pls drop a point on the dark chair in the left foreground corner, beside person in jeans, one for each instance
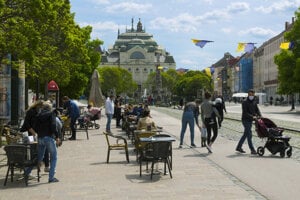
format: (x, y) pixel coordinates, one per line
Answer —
(21, 156)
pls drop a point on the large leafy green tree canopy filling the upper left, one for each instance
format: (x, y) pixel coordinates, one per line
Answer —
(43, 33)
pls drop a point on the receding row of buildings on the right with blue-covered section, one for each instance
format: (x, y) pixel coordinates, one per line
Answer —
(255, 70)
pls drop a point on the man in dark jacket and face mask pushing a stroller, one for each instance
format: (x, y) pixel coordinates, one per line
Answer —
(250, 111)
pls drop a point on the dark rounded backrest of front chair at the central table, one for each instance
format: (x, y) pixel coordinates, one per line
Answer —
(158, 150)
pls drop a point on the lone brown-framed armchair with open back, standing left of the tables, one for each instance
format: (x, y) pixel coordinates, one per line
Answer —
(116, 145)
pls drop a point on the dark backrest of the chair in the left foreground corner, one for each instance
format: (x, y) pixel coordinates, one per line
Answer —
(17, 154)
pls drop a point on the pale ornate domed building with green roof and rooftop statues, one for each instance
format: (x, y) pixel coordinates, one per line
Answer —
(137, 51)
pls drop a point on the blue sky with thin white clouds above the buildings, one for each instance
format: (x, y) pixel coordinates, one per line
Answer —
(173, 23)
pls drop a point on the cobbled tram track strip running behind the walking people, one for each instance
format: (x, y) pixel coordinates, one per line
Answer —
(232, 130)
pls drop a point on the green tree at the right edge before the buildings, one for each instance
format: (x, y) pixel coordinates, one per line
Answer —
(288, 62)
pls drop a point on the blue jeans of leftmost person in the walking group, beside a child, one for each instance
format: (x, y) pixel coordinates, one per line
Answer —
(187, 118)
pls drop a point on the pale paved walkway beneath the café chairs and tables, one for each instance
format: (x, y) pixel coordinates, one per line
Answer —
(84, 174)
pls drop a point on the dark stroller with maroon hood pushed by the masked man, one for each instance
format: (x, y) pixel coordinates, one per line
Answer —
(276, 142)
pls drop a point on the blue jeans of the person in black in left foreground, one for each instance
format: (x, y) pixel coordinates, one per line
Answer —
(49, 144)
